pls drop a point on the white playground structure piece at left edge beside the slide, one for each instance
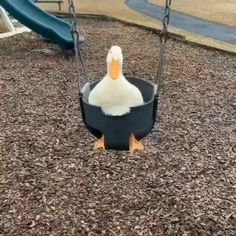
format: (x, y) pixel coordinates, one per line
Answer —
(9, 23)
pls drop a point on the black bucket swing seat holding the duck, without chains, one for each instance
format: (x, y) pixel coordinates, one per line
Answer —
(117, 129)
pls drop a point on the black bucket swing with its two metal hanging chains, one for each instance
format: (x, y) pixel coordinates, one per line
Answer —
(115, 131)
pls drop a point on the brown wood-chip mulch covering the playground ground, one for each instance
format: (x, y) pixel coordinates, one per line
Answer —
(53, 183)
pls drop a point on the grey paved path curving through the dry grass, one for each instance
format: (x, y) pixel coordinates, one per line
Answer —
(180, 20)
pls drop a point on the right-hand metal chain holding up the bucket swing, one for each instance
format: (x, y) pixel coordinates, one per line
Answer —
(163, 39)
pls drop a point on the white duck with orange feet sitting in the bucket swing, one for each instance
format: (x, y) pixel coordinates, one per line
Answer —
(116, 95)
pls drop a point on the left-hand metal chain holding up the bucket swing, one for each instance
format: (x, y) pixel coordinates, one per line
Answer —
(75, 36)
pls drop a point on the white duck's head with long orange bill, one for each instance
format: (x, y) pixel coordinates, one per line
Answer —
(114, 62)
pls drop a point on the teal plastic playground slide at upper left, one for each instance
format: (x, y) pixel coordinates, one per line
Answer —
(41, 22)
